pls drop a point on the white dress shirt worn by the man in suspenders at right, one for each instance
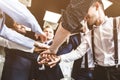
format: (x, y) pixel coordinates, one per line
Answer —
(104, 44)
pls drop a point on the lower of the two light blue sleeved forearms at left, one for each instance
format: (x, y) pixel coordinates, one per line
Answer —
(16, 37)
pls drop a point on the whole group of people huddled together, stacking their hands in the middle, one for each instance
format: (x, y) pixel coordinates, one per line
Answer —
(95, 52)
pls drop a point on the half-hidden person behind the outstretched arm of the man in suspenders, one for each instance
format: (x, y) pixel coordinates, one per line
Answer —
(83, 68)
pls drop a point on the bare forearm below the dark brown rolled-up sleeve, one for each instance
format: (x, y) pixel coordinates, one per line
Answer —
(59, 38)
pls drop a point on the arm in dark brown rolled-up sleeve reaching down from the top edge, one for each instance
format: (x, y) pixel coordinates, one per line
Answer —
(70, 22)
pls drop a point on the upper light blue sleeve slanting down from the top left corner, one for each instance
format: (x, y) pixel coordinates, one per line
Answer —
(20, 14)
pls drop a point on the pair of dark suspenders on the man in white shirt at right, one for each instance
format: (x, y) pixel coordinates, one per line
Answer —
(115, 43)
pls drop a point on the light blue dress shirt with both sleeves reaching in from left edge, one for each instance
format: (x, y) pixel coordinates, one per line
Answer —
(22, 15)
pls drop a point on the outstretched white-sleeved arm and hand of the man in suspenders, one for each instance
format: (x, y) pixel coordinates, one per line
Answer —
(68, 57)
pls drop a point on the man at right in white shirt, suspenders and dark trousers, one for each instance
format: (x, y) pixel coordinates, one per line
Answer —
(107, 68)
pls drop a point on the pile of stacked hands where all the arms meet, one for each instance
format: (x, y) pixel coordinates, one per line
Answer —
(47, 57)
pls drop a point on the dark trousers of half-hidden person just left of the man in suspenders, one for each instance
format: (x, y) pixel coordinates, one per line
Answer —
(85, 74)
